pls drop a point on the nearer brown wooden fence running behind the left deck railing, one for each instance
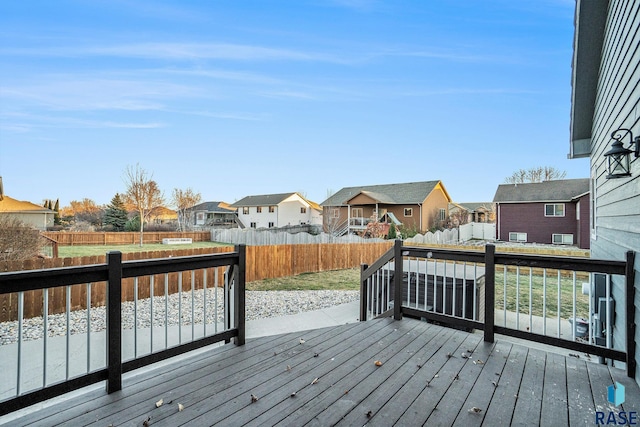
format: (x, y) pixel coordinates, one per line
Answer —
(263, 262)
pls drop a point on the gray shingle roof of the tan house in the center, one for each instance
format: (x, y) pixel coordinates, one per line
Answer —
(399, 194)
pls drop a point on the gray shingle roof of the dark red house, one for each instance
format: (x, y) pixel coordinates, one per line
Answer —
(562, 190)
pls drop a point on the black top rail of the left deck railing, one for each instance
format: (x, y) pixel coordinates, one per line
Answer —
(29, 280)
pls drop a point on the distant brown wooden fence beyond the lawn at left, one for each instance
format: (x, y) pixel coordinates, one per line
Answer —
(121, 238)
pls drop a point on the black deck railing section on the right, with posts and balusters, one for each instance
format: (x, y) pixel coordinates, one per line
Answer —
(561, 301)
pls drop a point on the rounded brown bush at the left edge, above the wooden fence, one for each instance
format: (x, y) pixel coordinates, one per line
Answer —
(18, 241)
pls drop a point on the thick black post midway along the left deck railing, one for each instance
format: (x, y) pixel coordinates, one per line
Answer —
(114, 318)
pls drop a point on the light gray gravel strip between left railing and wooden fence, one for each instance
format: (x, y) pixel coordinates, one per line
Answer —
(260, 304)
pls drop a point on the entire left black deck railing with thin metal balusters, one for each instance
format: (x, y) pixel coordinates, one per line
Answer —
(35, 378)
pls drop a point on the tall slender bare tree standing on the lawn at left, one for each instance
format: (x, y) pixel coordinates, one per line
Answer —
(142, 194)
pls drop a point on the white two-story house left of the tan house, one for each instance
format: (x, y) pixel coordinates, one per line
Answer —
(277, 210)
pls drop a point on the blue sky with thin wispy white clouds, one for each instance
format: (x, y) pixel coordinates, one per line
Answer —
(235, 98)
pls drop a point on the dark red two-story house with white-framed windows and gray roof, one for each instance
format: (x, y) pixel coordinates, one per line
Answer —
(554, 212)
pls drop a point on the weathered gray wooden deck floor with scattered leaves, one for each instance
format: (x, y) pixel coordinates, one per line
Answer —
(329, 377)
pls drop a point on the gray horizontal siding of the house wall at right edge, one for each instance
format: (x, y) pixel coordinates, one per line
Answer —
(616, 207)
